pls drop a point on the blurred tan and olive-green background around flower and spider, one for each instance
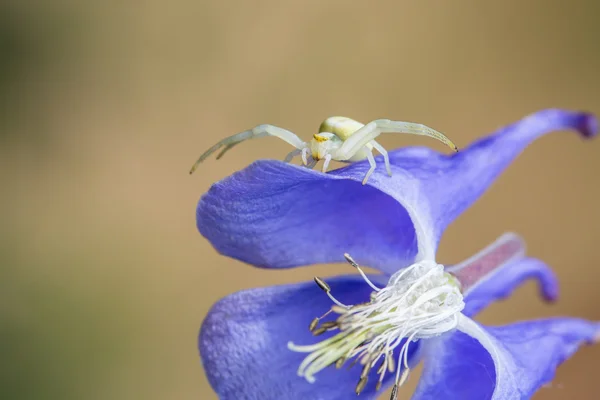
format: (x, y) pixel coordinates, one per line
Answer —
(104, 106)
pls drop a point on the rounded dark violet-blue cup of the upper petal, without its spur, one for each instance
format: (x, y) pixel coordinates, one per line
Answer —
(277, 215)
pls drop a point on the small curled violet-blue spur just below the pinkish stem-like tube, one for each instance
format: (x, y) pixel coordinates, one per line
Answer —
(503, 281)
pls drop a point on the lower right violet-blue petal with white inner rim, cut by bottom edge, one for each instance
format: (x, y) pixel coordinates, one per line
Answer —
(501, 363)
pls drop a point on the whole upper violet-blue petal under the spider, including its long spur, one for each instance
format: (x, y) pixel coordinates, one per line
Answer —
(277, 215)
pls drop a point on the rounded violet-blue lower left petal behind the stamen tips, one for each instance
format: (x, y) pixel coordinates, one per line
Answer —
(243, 343)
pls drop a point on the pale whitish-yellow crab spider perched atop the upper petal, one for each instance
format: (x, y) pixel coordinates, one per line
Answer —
(339, 139)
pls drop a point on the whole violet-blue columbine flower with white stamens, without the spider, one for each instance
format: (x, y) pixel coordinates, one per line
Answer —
(256, 344)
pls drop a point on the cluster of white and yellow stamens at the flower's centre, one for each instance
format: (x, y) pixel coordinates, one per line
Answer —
(419, 302)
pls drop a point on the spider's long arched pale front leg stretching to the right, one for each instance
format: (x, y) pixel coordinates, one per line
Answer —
(375, 128)
